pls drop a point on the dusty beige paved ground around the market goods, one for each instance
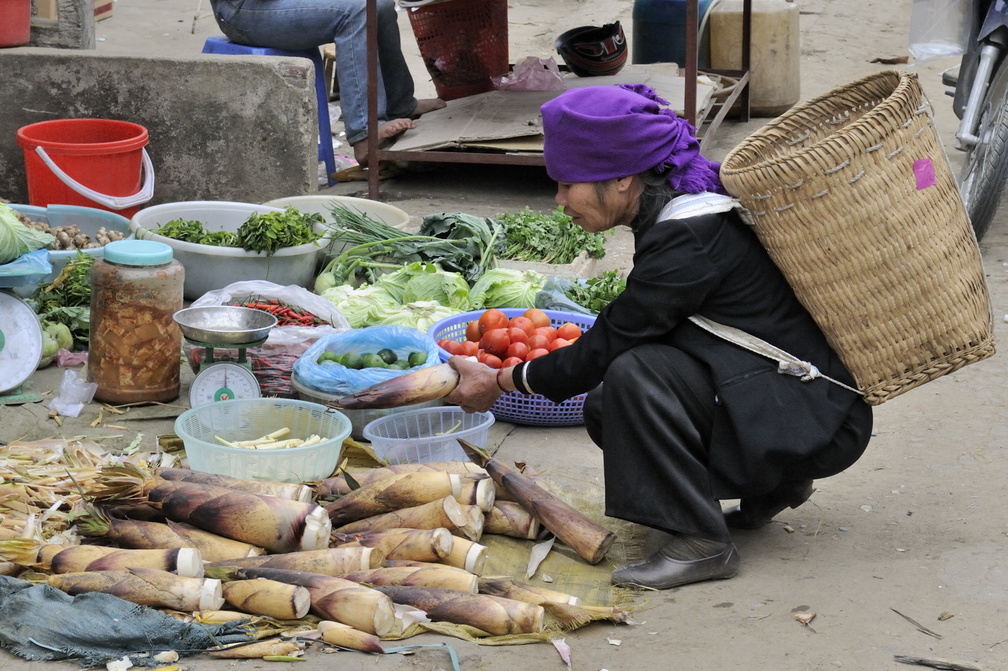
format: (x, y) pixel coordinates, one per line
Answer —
(916, 527)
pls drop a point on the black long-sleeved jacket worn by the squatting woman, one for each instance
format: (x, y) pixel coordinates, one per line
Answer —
(714, 265)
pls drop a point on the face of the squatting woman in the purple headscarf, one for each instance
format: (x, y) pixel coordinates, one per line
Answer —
(597, 207)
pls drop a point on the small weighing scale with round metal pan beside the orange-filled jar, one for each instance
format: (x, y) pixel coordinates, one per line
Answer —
(224, 377)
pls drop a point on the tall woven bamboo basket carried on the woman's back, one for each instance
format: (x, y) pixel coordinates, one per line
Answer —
(854, 199)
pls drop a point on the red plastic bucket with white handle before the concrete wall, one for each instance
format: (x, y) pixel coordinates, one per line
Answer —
(93, 163)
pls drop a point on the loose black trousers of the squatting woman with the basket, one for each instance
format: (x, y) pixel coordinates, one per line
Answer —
(654, 417)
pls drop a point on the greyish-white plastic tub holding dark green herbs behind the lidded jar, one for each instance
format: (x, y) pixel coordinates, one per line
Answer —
(209, 267)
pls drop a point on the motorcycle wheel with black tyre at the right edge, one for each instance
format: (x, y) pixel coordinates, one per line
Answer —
(985, 167)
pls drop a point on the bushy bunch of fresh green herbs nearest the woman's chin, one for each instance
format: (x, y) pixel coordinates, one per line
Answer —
(551, 238)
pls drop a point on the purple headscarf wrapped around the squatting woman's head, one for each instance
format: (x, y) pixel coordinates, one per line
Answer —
(606, 132)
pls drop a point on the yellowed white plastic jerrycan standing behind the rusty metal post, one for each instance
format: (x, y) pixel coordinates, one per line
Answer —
(775, 67)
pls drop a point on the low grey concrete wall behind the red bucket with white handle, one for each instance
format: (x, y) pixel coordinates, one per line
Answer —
(222, 127)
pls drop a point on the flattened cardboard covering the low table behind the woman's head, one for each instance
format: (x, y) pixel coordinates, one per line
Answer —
(510, 120)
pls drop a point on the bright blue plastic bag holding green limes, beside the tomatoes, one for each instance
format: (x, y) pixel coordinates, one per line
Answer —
(339, 380)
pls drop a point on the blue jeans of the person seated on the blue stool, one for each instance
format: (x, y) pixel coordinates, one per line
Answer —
(305, 25)
